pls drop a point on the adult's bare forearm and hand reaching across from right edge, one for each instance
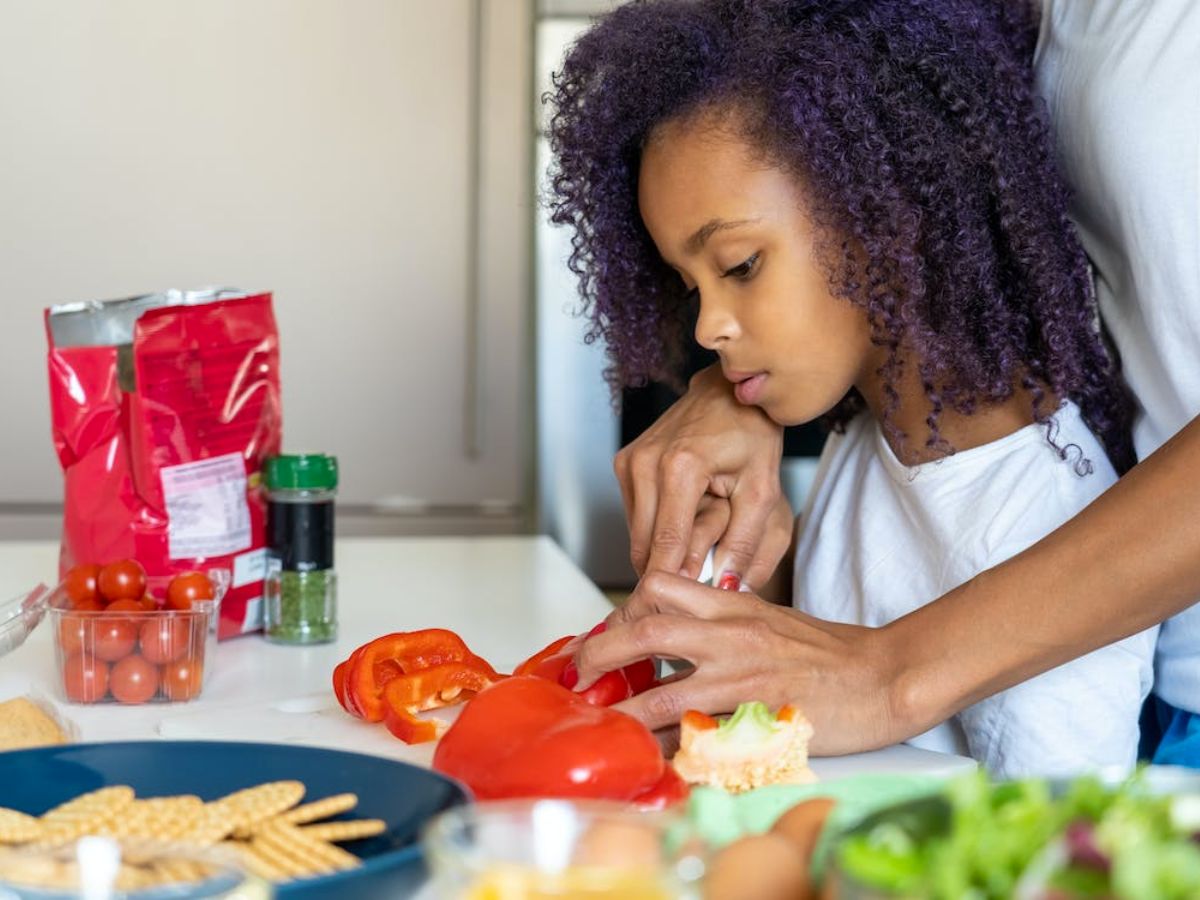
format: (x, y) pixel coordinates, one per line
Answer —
(1127, 562)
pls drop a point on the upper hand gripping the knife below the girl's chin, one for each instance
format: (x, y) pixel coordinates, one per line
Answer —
(706, 445)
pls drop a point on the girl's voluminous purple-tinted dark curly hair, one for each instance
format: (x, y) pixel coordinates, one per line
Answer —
(925, 155)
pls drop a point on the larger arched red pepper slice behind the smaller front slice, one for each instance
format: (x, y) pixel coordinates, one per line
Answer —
(386, 659)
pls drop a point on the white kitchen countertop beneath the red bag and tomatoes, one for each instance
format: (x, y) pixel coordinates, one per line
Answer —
(506, 597)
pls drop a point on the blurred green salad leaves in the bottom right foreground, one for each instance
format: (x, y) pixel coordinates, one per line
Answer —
(1090, 837)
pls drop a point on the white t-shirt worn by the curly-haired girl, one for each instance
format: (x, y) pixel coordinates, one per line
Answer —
(880, 539)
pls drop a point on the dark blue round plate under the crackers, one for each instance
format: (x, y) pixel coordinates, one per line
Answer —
(404, 796)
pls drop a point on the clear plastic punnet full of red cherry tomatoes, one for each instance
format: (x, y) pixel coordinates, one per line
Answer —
(123, 638)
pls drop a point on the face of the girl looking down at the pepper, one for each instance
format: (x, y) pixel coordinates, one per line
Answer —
(736, 231)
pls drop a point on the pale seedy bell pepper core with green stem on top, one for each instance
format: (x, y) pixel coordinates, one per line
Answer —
(749, 749)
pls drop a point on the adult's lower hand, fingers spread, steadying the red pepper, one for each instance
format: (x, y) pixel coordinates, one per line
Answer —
(745, 649)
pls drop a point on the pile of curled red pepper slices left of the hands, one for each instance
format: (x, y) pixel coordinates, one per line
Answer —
(397, 676)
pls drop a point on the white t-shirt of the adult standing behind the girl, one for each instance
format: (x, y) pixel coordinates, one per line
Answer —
(1123, 82)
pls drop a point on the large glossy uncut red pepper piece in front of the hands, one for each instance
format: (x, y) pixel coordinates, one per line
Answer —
(529, 737)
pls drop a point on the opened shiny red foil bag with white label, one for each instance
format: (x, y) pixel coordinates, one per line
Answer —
(164, 409)
